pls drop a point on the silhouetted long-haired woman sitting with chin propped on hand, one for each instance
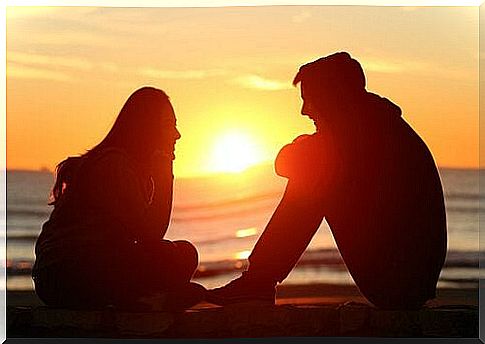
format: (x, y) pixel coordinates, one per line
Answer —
(102, 244)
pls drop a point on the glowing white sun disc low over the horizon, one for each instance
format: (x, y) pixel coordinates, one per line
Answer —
(234, 152)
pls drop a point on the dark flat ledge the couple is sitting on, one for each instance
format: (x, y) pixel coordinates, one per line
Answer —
(244, 321)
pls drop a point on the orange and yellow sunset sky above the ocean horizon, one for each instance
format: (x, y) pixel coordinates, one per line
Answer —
(229, 70)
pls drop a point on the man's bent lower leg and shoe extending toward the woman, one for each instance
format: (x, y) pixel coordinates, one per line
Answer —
(285, 238)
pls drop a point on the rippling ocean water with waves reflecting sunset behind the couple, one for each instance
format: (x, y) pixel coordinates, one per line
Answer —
(223, 215)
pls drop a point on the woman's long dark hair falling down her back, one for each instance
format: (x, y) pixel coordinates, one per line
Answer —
(136, 131)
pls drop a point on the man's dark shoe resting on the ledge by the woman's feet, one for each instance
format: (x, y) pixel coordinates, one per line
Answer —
(243, 290)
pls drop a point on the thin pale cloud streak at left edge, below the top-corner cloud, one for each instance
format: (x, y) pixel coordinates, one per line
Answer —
(51, 61)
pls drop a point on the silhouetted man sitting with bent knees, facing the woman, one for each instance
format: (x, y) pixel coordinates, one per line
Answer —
(371, 177)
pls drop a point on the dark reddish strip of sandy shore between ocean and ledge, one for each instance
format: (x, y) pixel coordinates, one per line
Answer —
(302, 294)
